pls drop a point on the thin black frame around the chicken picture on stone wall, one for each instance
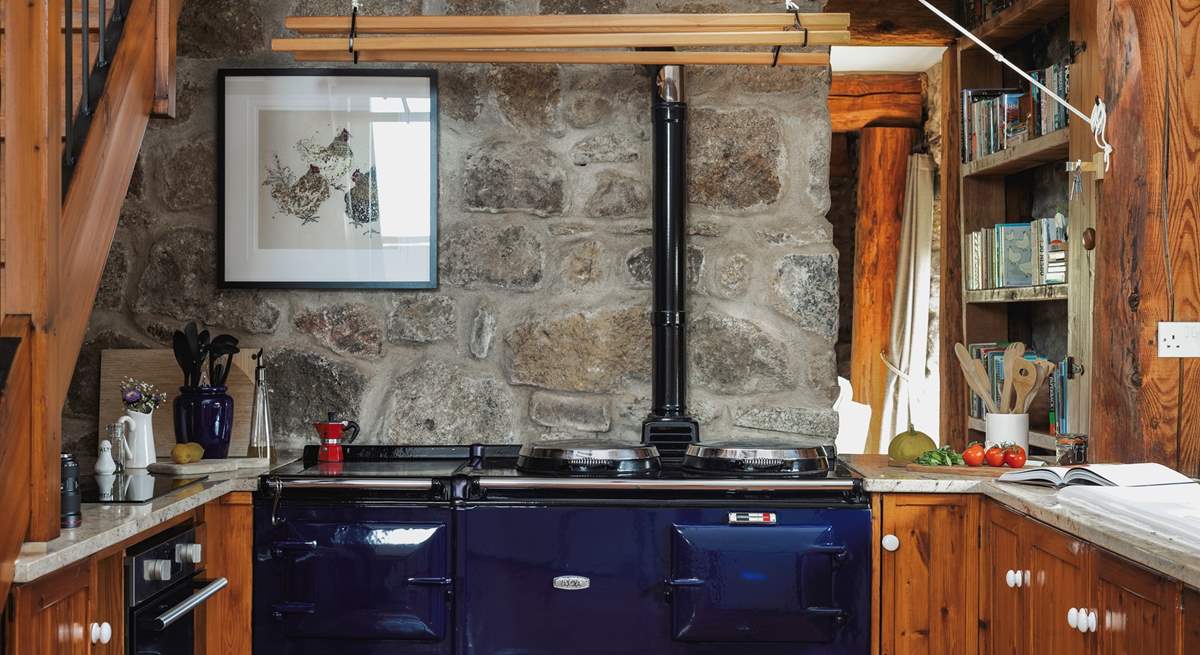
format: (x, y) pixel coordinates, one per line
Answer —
(224, 75)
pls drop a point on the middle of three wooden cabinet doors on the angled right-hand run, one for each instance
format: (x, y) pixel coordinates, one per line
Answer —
(1055, 581)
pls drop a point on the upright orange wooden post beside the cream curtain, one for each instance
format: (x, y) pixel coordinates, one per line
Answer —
(883, 176)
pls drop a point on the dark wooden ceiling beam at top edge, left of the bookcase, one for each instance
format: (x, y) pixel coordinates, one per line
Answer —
(896, 23)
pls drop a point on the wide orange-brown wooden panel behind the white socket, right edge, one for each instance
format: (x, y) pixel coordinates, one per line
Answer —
(1144, 407)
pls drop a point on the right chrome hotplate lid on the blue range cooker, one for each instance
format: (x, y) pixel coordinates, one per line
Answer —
(758, 458)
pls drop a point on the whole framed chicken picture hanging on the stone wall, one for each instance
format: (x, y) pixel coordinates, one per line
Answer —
(328, 178)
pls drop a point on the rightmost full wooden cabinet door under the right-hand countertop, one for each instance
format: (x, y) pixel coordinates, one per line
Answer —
(1138, 612)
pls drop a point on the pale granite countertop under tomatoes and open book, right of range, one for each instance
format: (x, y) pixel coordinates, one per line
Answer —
(1136, 538)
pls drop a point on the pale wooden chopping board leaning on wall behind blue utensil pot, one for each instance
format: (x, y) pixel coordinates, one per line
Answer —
(159, 368)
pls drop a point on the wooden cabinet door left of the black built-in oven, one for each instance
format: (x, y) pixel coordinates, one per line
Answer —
(52, 615)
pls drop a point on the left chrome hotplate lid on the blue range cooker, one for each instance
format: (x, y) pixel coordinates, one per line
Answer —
(589, 458)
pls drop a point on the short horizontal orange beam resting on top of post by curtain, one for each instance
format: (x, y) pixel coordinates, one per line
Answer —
(859, 101)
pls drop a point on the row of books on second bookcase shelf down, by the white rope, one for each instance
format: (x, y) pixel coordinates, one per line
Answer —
(998, 119)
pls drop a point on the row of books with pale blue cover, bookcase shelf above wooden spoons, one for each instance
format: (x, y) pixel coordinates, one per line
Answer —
(1018, 255)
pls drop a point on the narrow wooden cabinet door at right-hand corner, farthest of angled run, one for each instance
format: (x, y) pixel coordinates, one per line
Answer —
(1001, 608)
